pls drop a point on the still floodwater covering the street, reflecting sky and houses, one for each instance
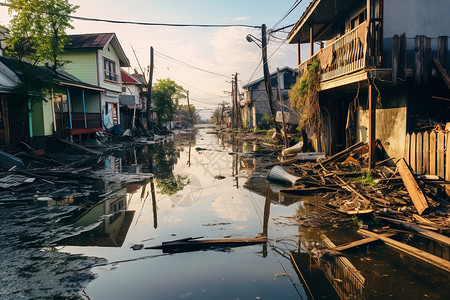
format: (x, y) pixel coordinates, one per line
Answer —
(205, 185)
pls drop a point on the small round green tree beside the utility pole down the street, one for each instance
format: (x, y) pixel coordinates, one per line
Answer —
(166, 94)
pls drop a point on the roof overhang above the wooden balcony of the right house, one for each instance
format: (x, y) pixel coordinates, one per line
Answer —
(321, 15)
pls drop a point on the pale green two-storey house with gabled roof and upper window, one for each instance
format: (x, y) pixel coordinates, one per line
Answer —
(96, 59)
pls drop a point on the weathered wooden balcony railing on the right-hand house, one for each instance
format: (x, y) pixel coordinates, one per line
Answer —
(345, 55)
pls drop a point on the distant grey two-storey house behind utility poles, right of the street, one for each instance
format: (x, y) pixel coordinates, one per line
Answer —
(256, 102)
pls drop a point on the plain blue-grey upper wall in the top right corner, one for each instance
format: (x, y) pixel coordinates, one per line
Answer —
(416, 17)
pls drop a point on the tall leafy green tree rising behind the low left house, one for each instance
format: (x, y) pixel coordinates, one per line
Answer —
(38, 29)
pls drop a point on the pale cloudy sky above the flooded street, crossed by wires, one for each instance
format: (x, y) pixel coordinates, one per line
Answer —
(224, 51)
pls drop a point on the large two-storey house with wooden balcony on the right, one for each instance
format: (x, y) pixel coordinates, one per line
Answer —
(383, 71)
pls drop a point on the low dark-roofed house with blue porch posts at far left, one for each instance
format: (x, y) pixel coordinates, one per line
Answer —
(53, 114)
